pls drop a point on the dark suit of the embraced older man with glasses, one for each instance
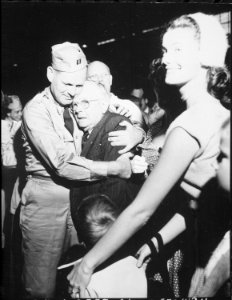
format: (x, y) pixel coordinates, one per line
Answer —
(98, 148)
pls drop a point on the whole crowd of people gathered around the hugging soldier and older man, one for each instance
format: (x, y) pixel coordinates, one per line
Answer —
(105, 197)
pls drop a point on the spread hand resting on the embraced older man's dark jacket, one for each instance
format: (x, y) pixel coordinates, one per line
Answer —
(130, 137)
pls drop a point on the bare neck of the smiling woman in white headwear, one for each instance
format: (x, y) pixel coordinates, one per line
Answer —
(195, 91)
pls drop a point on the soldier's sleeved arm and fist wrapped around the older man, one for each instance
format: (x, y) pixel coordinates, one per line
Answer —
(45, 142)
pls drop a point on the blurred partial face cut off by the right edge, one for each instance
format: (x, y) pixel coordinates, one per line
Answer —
(223, 168)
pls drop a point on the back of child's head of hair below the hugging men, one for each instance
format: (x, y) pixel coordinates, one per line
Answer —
(94, 217)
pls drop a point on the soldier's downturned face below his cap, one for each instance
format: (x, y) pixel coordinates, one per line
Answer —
(65, 86)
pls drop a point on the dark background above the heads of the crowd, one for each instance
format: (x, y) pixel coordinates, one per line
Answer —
(29, 29)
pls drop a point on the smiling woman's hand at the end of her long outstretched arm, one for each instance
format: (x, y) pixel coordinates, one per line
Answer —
(79, 279)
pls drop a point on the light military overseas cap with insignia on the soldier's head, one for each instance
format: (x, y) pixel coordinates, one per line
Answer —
(68, 57)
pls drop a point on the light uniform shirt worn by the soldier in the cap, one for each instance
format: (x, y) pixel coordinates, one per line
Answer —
(49, 146)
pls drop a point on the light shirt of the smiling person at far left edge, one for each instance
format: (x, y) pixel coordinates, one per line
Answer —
(9, 129)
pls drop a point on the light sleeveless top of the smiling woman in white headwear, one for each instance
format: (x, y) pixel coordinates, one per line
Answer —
(203, 122)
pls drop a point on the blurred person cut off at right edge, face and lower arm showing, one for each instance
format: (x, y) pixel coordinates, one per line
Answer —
(208, 281)
